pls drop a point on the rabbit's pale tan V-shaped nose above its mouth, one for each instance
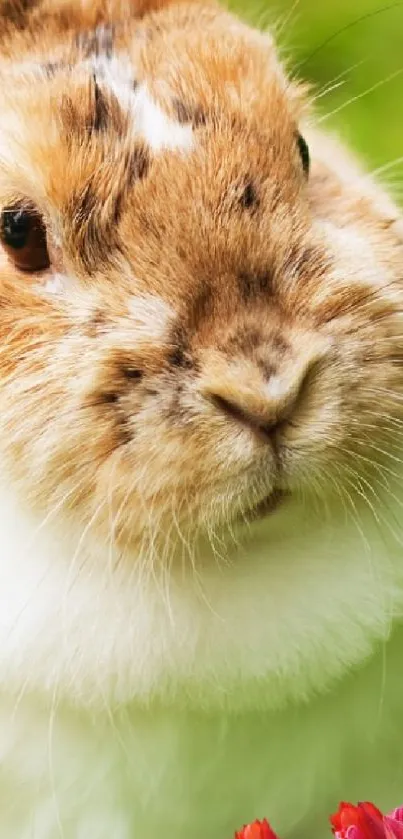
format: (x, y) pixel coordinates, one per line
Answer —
(261, 401)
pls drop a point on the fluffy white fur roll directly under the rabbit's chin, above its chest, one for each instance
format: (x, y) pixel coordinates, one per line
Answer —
(277, 613)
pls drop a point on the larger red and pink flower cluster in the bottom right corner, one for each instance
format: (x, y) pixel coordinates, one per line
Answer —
(365, 821)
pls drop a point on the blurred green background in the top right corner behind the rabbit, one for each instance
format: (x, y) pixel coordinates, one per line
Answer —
(364, 55)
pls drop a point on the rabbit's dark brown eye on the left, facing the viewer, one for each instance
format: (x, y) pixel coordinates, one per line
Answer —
(23, 235)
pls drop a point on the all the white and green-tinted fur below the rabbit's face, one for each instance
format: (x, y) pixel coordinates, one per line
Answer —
(301, 604)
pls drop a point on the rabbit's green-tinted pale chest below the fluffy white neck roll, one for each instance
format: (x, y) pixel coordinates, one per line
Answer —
(188, 774)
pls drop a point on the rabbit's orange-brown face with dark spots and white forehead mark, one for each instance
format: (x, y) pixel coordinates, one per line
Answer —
(194, 321)
